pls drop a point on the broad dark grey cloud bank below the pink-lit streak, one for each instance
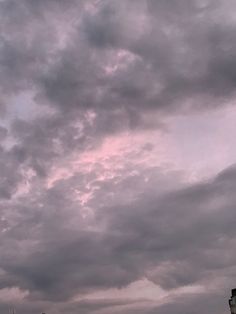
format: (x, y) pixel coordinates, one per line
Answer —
(180, 230)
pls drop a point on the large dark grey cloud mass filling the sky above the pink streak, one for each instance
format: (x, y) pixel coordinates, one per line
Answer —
(165, 66)
